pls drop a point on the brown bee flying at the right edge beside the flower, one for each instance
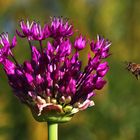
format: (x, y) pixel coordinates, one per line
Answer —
(133, 68)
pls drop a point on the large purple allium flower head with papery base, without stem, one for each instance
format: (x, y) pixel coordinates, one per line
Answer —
(52, 83)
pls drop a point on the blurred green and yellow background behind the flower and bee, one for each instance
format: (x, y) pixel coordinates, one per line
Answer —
(116, 115)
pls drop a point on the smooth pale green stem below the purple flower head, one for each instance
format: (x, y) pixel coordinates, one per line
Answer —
(52, 131)
